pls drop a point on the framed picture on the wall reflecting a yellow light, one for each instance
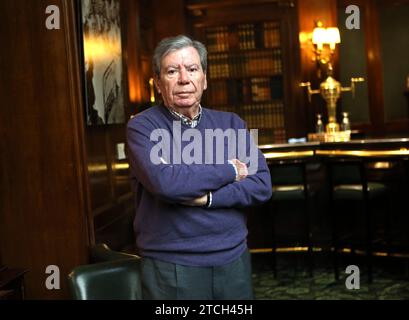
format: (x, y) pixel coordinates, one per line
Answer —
(103, 63)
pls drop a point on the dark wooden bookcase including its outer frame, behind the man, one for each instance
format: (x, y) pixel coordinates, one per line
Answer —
(253, 62)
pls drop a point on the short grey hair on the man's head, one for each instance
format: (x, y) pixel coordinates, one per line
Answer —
(171, 44)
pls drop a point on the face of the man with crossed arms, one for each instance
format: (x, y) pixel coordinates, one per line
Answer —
(182, 80)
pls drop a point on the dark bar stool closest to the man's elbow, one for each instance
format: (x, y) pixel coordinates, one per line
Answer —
(289, 182)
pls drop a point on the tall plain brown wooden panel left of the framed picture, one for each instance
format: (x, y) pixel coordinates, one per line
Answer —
(43, 216)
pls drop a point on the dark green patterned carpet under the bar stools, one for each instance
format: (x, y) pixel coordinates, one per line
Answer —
(391, 281)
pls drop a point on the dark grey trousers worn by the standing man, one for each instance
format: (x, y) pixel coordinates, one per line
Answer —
(169, 281)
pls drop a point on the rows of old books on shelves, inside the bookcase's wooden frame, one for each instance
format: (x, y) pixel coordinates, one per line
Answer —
(245, 71)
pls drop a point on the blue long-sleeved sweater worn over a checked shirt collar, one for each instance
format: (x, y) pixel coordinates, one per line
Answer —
(194, 236)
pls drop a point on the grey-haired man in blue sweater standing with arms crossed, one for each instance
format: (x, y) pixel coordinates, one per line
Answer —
(189, 224)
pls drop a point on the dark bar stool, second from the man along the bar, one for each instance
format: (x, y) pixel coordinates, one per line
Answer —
(348, 181)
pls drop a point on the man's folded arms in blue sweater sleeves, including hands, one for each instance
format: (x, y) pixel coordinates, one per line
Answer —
(190, 184)
